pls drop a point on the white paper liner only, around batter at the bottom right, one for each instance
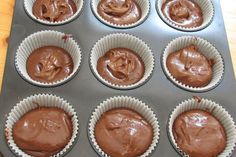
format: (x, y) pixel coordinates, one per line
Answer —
(217, 111)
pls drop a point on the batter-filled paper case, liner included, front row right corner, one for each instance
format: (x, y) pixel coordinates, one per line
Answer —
(199, 127)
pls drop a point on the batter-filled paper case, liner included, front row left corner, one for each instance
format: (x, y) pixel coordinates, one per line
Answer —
(41, 125)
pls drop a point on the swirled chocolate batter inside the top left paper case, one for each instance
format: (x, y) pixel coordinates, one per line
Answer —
(54, 10)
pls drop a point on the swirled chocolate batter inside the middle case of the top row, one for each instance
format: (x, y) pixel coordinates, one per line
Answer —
(119, 12)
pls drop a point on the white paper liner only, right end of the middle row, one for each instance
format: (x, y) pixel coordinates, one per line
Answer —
(208, 50)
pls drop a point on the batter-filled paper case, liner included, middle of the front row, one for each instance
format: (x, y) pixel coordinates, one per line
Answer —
(123, 127)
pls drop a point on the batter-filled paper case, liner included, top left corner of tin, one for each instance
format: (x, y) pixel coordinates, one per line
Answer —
(53, 12)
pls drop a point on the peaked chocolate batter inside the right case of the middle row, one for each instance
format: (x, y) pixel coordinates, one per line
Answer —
(190, 67)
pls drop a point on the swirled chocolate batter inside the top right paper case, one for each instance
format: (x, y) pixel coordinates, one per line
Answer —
(185, 13)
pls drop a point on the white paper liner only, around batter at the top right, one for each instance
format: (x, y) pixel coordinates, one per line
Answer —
(207, 11)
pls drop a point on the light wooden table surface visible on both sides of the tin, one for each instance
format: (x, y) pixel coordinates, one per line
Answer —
(6, 12)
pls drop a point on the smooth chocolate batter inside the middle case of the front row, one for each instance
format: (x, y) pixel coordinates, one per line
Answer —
(123, 132)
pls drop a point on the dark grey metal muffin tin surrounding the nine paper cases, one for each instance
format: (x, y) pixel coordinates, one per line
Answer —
(84, 92)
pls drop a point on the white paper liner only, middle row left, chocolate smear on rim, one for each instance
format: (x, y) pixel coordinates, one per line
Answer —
(46, 38)
